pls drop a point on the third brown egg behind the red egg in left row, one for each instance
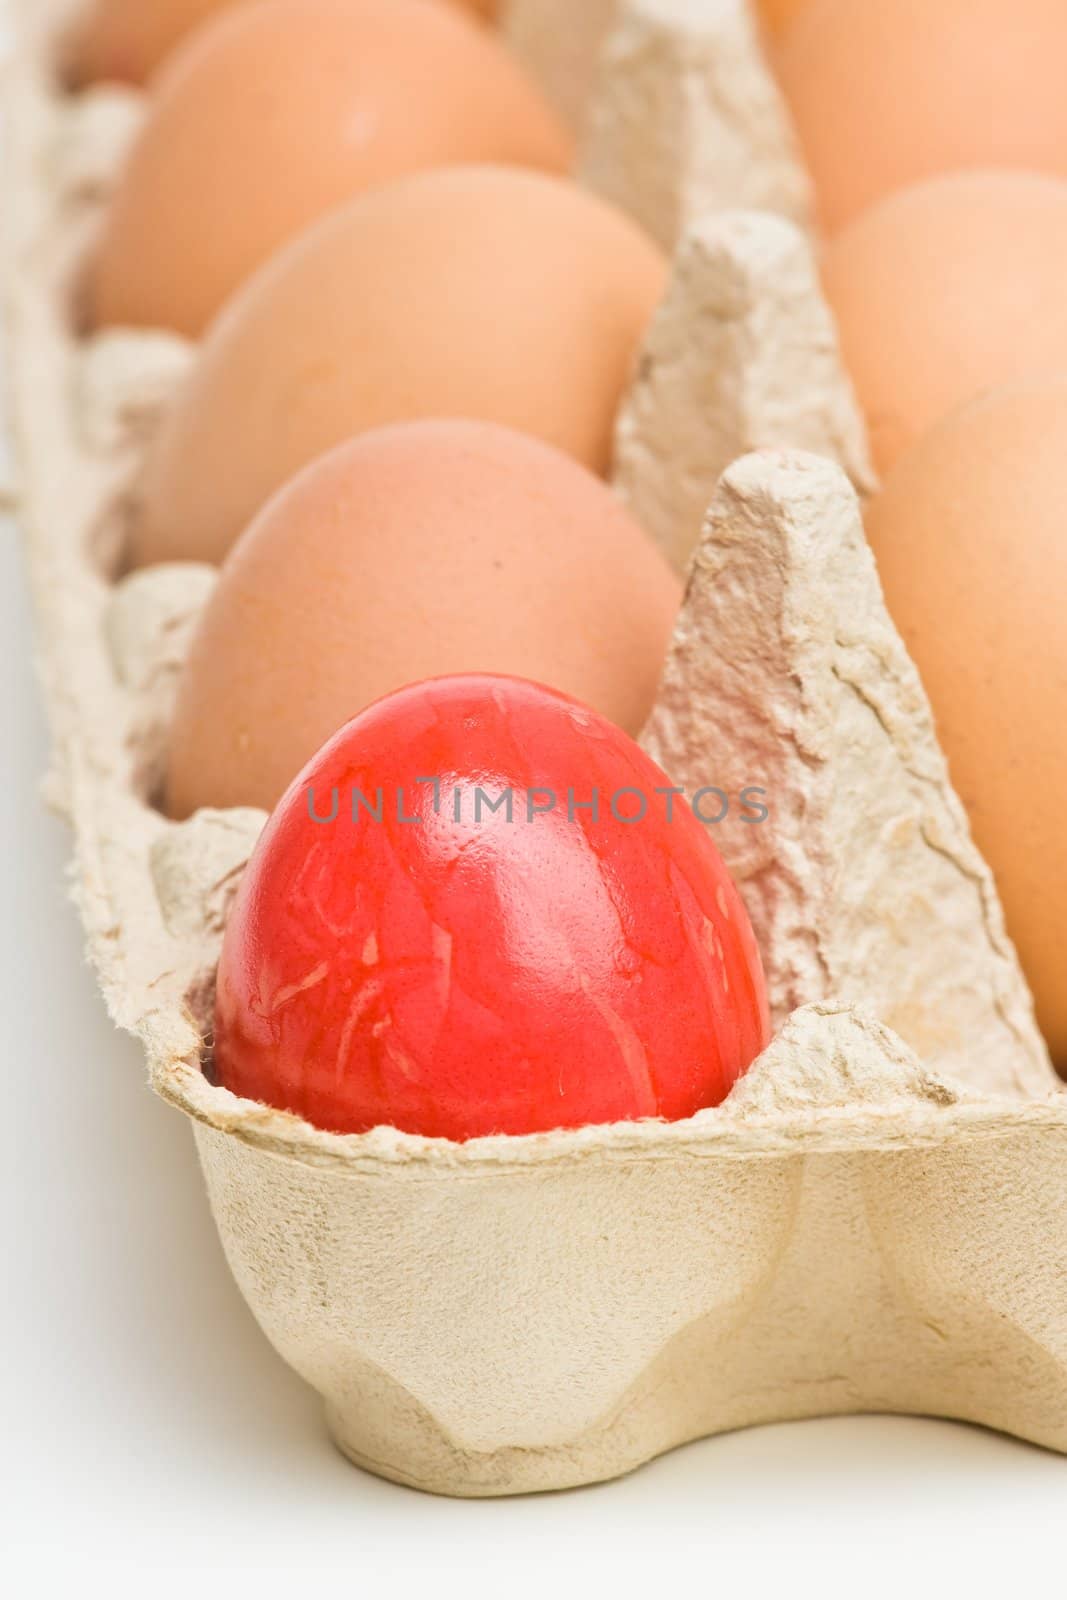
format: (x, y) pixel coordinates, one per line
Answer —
(282, 111)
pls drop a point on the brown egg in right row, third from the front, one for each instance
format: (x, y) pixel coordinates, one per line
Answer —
(889, 92)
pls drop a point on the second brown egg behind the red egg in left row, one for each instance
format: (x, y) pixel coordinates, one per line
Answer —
(481, 292)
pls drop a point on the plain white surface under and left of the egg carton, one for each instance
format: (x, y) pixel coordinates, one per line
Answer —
(150, 1430)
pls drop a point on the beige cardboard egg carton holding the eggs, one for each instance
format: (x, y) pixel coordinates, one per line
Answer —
(877, 1217)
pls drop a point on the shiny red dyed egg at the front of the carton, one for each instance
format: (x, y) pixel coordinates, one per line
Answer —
(479, 910)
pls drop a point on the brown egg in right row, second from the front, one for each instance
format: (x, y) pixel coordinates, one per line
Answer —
(946, 290)
